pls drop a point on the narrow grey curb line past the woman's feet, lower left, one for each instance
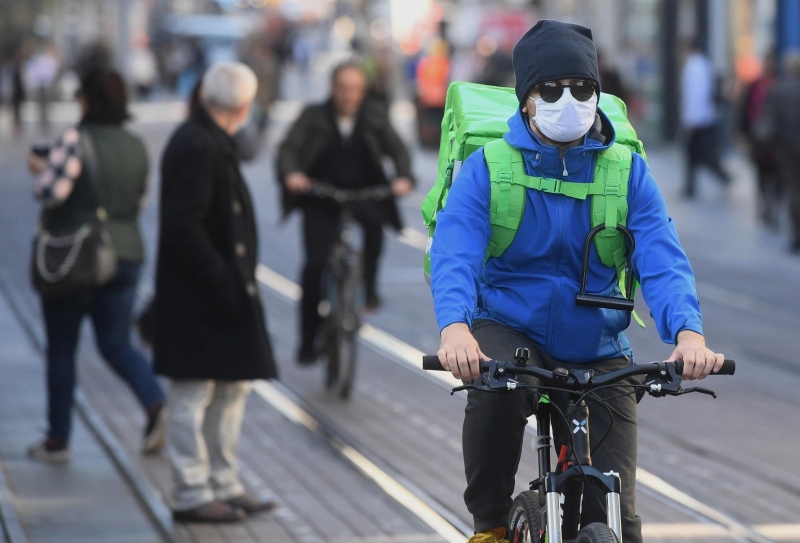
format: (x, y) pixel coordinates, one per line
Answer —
(154, 506)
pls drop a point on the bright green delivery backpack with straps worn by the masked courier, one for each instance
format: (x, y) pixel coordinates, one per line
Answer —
(476, 117)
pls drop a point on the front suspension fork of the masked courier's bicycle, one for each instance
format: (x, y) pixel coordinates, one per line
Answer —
(569, 477)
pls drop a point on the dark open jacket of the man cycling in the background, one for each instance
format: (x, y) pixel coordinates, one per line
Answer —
(313, 132)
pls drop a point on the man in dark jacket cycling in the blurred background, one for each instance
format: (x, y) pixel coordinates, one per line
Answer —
(343, 142)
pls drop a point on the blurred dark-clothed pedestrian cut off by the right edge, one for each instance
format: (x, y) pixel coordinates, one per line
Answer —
(782, 119)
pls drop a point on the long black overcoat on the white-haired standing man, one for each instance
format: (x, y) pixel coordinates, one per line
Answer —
(210, 321)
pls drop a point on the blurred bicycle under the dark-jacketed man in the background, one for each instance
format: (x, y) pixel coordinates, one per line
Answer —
(343, 304)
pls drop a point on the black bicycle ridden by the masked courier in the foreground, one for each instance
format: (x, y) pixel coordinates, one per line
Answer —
(537, 515)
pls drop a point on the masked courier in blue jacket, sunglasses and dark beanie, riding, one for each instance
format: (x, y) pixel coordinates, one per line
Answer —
(526, 297)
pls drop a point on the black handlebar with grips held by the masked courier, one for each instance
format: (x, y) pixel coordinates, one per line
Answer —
(431, 363)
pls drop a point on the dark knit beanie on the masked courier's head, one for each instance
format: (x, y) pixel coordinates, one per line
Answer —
(553, 50)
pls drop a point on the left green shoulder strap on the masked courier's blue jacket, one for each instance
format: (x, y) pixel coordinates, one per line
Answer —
(507, 202)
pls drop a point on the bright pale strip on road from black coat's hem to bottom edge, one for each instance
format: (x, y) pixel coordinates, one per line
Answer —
(275, 397)
